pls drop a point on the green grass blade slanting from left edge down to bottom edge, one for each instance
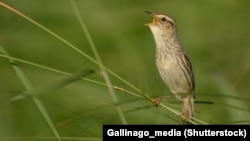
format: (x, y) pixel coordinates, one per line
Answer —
(27, 84)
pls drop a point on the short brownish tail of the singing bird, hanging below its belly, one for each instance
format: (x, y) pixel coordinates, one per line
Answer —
(188, 107)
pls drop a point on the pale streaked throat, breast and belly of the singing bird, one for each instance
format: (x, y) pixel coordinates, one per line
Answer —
(169, 56)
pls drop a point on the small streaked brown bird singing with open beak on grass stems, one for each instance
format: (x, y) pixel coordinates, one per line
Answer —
(173, 63)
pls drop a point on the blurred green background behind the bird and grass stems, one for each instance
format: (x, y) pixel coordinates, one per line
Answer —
(215, 34)
